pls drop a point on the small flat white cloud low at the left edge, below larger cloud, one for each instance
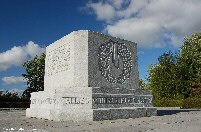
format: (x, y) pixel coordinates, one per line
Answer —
(13, 80)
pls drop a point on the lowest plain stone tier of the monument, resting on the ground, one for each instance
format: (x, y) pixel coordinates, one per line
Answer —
(91, 115)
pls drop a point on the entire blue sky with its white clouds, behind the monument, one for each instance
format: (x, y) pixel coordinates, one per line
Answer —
(28, 26)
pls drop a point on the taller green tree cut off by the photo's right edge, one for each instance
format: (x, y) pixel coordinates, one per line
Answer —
(190, 59)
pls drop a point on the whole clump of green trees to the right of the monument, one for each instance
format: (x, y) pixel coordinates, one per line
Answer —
(175, 75)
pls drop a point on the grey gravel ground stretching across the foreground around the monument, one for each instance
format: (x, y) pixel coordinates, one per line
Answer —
(169, 121)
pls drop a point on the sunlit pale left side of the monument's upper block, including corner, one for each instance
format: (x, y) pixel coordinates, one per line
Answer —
(66, 63)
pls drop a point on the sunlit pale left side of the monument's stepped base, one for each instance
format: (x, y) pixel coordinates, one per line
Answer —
(70, 105)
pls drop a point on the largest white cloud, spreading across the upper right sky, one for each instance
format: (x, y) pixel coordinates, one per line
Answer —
(150, 23)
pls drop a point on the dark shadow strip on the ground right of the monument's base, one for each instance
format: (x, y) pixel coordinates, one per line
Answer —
(171, 112)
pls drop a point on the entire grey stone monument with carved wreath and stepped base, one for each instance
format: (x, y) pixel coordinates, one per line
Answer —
(90, 76)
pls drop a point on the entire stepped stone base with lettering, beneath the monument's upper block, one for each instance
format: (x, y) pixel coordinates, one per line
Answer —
(91, 104)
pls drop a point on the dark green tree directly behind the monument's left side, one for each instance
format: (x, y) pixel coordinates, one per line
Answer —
(35, 70)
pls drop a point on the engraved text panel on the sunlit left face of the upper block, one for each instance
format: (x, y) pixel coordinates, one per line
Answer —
(58, 60)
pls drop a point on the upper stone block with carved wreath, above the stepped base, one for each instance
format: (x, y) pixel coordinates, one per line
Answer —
(83, 58)
